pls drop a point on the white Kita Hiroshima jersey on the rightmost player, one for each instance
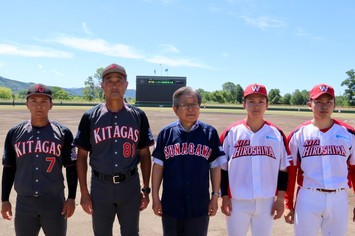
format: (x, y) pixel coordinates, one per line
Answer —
(323, 155)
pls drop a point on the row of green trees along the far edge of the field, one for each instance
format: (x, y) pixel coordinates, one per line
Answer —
(230, 94)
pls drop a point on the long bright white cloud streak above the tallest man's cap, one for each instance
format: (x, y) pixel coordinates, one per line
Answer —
(99, 46)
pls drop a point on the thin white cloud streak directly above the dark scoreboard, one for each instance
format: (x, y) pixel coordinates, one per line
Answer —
(176, 62)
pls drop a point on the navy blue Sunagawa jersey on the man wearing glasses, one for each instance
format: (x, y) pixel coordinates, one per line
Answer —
(187, 158)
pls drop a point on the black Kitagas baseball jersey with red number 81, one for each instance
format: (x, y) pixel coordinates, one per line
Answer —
(113, 138)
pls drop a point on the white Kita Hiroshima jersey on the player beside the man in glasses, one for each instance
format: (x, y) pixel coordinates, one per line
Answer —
(254, 159)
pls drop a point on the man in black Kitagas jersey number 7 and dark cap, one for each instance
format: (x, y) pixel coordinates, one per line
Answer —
(34, 153)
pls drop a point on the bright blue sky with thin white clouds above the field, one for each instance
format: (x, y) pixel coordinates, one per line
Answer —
(282, 44)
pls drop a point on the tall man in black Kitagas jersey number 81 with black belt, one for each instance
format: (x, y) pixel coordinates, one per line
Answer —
(117, 137)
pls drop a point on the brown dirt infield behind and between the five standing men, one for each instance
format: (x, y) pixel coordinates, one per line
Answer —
(150, 225)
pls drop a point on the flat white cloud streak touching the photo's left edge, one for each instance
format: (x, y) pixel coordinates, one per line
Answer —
(32, 51)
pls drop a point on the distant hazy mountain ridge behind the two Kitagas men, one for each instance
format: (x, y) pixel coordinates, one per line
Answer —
(17, 86)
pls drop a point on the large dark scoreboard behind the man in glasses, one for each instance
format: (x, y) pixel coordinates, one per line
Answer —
(157, 89)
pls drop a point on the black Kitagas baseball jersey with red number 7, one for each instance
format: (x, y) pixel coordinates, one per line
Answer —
(39, 153)
